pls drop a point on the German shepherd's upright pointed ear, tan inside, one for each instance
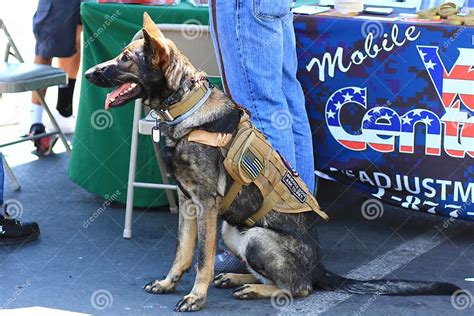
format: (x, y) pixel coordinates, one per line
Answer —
(157, 52)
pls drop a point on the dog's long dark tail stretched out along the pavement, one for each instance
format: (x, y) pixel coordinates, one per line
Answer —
(331, 281)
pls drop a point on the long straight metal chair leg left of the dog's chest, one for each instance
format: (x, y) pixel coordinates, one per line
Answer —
(127, 230)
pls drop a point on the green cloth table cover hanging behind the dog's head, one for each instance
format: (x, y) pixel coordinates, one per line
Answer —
(101, 152)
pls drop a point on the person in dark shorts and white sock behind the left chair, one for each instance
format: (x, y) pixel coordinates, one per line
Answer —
(57, 29)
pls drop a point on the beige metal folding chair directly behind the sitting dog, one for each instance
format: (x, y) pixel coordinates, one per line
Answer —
(199, 49)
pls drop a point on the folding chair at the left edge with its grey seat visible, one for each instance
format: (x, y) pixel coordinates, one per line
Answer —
(21, 77)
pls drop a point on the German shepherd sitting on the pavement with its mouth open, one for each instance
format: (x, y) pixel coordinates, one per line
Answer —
(281, 251)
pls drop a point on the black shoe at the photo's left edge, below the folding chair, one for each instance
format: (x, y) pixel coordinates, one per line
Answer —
(14, 232)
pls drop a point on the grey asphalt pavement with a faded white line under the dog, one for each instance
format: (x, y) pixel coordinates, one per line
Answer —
(84, 266)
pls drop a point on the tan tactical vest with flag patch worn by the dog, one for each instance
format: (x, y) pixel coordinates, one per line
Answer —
(249, 158)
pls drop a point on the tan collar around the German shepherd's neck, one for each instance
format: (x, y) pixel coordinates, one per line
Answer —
(179, 111)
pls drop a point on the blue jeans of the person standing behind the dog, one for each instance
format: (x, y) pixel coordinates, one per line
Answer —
(256, 48)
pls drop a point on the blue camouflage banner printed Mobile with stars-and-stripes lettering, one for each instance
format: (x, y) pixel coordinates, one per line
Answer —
(391, 107)
